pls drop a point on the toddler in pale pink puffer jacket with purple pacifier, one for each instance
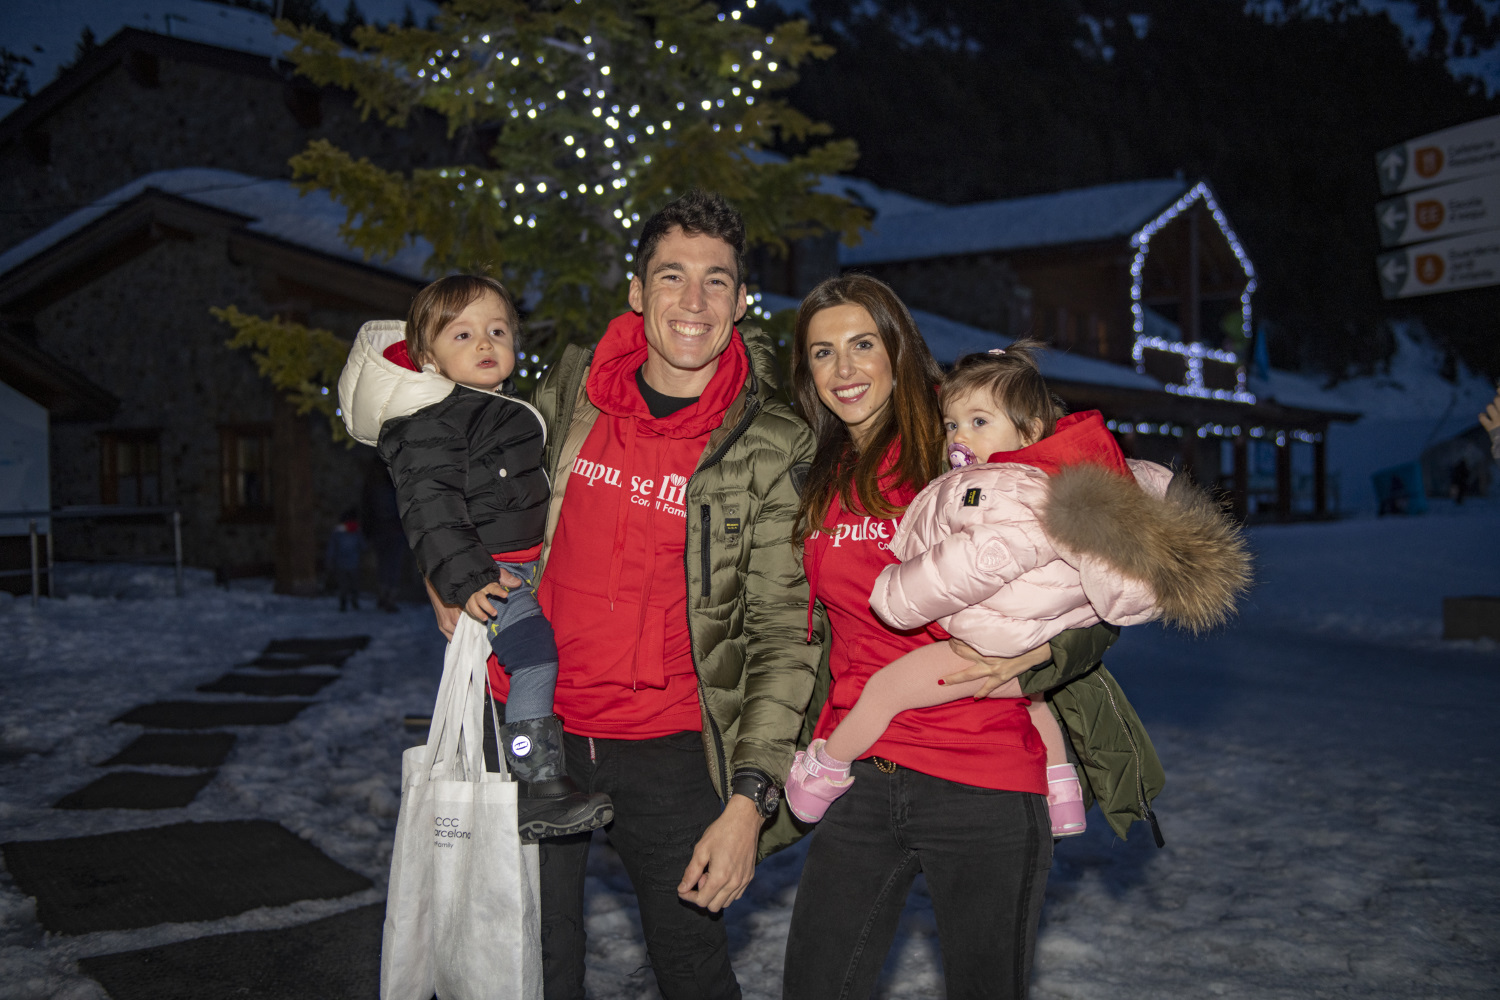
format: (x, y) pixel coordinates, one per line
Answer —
(1040, 527)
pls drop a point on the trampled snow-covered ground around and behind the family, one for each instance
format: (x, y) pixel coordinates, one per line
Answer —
(1331, 813)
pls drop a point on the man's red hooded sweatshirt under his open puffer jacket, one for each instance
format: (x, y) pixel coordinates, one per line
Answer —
(616, 585)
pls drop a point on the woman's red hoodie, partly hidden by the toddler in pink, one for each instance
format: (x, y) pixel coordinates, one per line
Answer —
(991, 744)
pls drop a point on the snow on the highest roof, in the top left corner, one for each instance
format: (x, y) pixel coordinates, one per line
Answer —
(47, 32)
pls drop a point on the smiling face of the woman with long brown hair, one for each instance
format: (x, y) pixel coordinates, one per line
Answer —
(851, 368)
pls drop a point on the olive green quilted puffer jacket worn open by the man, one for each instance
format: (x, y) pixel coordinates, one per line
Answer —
(746, 591)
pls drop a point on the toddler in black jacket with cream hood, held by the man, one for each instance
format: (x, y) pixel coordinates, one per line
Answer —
(469, 472)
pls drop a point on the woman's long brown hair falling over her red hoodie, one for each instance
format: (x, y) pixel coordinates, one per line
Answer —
(914, 419)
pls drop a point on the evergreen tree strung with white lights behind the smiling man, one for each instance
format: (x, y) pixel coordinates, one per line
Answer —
(589, 116)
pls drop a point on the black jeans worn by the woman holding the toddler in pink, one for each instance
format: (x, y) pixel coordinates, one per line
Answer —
(986, 855)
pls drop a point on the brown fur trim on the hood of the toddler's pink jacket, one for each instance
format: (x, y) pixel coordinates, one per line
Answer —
(1184, 546)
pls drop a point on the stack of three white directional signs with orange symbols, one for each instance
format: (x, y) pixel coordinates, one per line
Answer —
(1447, 212)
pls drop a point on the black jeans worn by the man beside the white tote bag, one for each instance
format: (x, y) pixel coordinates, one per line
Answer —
(664, 803)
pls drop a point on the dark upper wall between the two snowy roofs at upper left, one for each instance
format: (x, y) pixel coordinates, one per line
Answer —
(194, 115)
